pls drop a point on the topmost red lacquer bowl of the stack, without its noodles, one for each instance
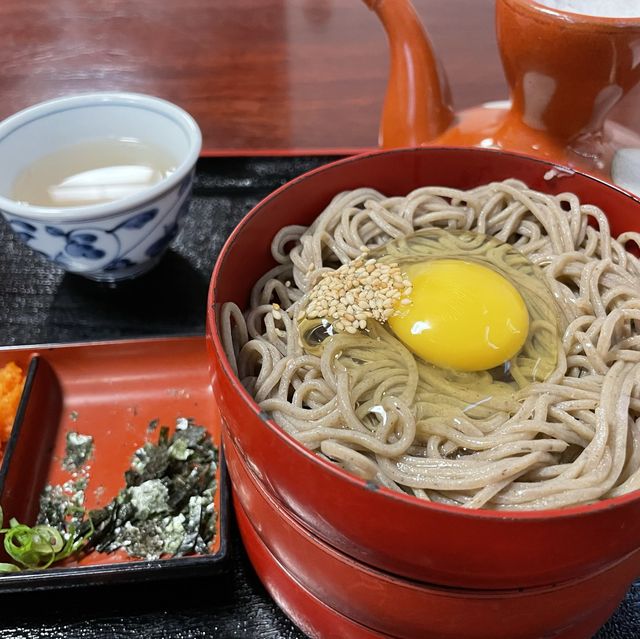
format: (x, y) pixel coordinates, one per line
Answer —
(398, 533)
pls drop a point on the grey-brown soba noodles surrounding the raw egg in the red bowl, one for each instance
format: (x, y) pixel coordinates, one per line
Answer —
(382, 414)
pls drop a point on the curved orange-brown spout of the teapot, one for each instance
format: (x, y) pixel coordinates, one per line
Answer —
(417, 106)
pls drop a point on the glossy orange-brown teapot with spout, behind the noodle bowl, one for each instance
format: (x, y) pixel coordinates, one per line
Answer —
(565, 70)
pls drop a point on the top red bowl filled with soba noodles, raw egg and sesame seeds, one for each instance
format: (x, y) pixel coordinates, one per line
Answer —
(430, 359)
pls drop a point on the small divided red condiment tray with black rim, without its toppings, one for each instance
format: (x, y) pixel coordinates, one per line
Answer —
(112, 391)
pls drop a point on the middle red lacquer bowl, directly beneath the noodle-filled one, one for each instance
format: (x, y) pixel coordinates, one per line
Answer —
(406, 609)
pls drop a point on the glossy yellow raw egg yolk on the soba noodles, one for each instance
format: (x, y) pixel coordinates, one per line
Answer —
(461, 315)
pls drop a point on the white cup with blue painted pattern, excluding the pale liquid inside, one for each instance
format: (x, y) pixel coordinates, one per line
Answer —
(110, 241)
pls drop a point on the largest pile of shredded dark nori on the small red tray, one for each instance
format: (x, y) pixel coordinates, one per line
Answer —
(166, 507)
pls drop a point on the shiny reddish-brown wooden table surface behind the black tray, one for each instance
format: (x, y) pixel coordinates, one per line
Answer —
(256, 74)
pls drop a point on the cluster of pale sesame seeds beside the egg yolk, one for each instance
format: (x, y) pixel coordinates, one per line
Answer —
(356, 292)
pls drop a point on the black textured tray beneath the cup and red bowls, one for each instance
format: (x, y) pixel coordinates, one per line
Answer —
(40, 304)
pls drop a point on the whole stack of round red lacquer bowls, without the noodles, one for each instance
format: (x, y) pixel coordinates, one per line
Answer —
(347, 558)
